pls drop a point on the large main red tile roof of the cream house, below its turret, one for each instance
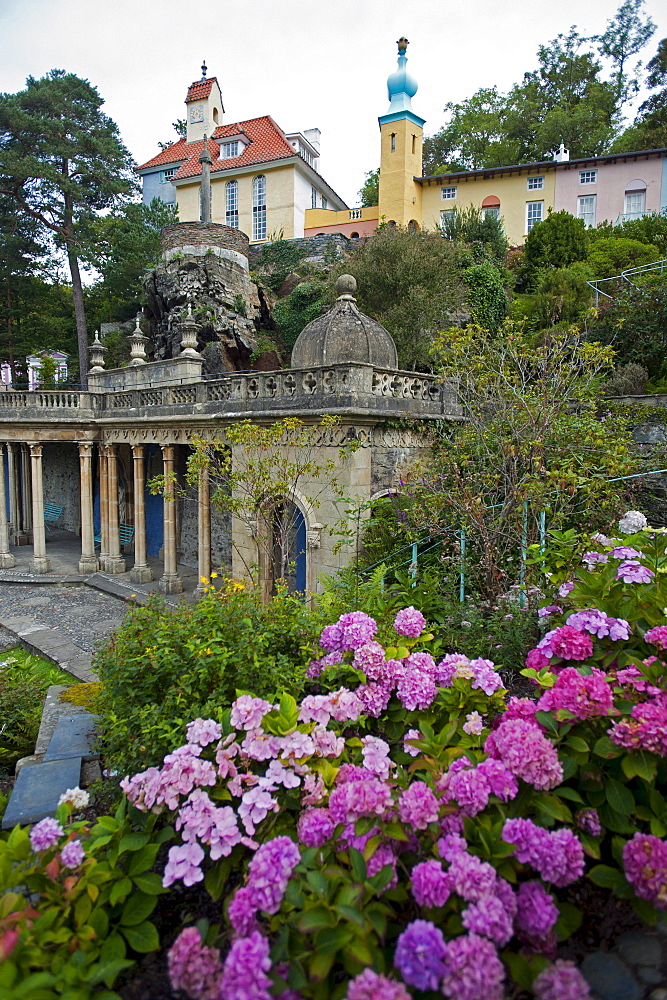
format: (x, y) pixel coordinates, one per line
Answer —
(267, 142)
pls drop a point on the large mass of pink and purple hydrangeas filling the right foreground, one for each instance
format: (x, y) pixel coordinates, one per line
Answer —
(407, 829)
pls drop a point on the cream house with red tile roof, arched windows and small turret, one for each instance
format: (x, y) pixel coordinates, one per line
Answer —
(262, 179)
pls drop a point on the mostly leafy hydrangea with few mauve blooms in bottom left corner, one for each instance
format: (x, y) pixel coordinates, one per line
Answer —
(76, 901)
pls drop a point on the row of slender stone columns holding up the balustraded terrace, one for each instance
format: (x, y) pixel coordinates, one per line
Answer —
(26, 513)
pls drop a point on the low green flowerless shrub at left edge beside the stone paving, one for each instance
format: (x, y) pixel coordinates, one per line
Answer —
(24, 681)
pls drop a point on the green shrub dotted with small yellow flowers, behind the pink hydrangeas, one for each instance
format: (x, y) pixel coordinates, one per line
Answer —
(163, 665)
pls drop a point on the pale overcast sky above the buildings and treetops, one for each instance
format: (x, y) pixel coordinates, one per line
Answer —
(307, 64)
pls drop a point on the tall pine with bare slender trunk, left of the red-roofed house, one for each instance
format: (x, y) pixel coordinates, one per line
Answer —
(62, 161)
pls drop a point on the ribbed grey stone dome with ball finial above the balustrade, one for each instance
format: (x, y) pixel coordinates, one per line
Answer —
(344, 335)
